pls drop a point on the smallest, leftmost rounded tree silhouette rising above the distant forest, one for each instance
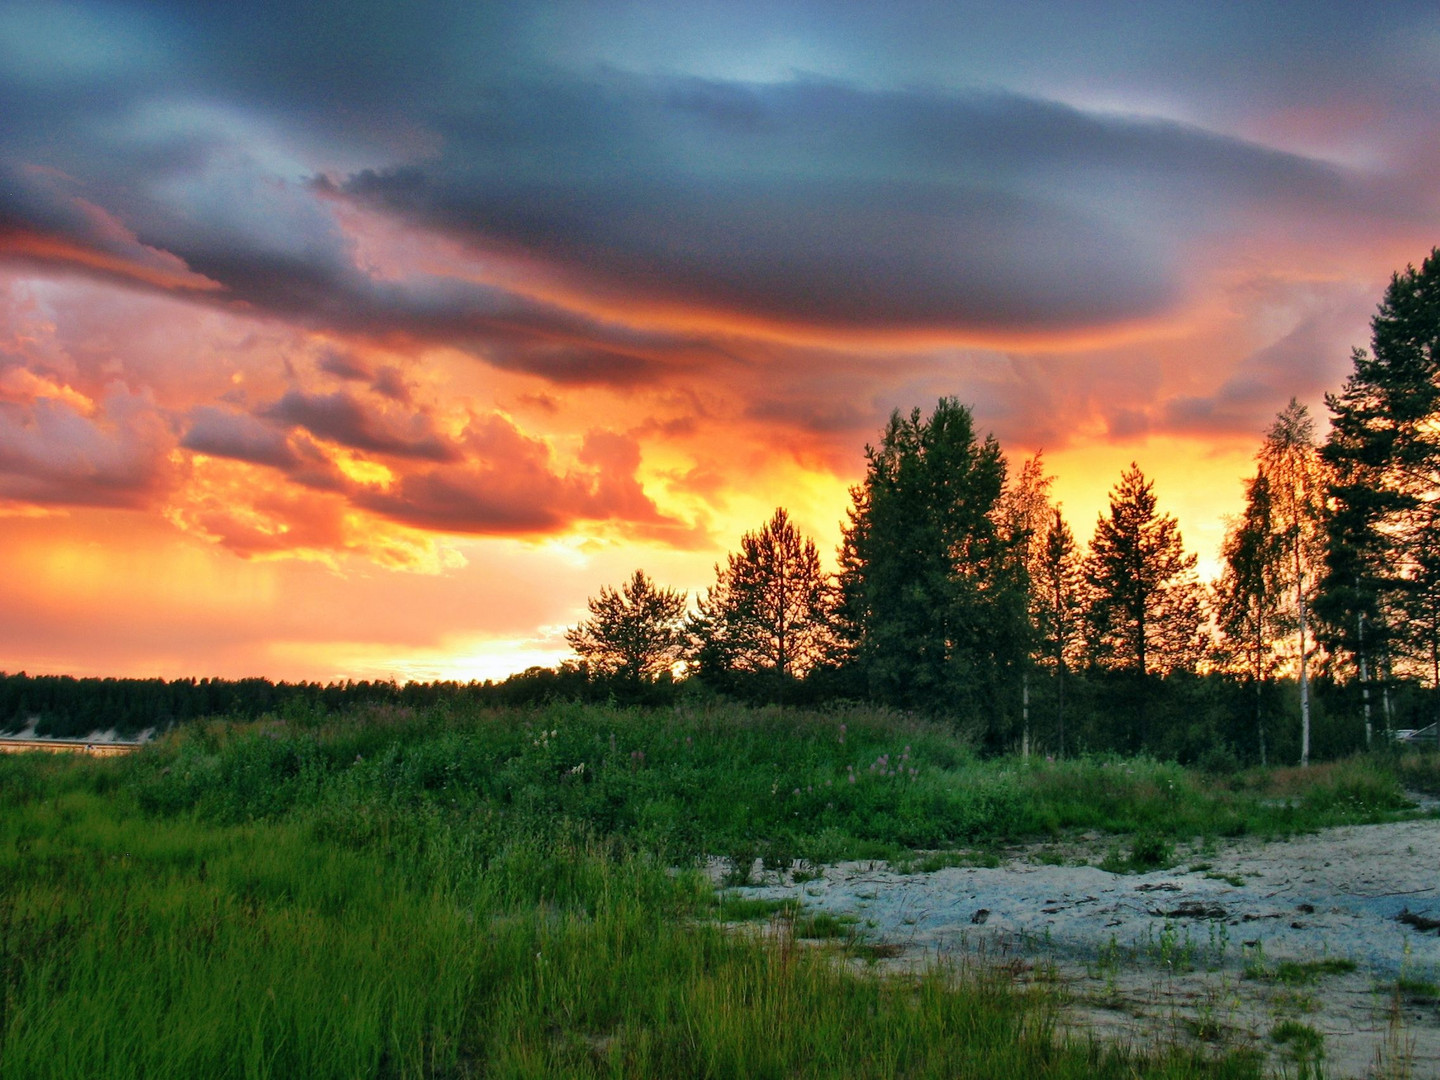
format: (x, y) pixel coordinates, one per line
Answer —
(633, 633)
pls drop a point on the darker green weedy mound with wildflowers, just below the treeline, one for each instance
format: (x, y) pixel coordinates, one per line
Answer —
(719, 781)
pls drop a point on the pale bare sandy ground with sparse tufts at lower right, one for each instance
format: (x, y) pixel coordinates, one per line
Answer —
(1235, 947)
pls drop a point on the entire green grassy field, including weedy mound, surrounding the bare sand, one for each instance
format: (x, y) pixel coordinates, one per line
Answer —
(390, 895)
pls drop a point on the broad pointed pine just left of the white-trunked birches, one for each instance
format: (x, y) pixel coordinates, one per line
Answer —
(1146, 604)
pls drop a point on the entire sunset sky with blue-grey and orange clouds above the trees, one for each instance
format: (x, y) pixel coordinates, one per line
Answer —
(371, 339)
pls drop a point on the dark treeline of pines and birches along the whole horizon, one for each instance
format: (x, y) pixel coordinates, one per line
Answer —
(964, 594)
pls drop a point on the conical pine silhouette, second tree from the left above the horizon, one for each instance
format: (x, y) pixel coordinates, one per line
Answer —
(771, 608)
